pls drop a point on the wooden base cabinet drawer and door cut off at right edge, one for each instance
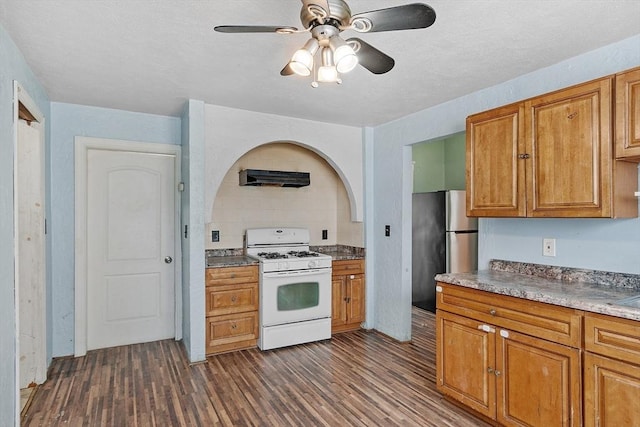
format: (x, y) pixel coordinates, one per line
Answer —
(611, 371)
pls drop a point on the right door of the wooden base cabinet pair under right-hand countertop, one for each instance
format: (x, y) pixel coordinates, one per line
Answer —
(538, 382)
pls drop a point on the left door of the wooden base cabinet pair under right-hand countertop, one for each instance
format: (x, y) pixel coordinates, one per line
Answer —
(465, 362)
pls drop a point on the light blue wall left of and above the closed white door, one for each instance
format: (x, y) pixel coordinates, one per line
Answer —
(67, 122)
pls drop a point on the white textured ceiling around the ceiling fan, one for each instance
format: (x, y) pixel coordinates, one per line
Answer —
(152, 55)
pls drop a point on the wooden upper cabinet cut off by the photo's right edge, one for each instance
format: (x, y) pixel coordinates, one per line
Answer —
(628, 115)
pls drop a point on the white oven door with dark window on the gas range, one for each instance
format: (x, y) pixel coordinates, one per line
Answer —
(295, 296)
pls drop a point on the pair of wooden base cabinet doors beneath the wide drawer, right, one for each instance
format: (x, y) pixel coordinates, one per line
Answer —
(509, 377)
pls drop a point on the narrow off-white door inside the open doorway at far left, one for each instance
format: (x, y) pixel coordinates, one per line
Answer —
(30, 277)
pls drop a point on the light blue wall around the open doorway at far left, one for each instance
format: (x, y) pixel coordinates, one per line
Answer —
(12, 67)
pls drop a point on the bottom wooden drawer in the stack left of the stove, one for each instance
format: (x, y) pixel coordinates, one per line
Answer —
(231, 331)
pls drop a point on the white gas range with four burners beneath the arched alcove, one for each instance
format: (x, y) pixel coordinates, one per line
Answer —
(295, 287)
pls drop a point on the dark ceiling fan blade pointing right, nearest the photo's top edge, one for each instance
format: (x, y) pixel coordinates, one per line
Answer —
(407, 17)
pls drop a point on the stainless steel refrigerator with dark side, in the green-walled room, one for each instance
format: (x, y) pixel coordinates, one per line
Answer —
(444, 240)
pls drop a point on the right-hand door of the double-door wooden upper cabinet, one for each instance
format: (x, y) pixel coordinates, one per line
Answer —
(568, 136)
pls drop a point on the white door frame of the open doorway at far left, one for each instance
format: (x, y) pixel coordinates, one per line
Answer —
(20, 96)
